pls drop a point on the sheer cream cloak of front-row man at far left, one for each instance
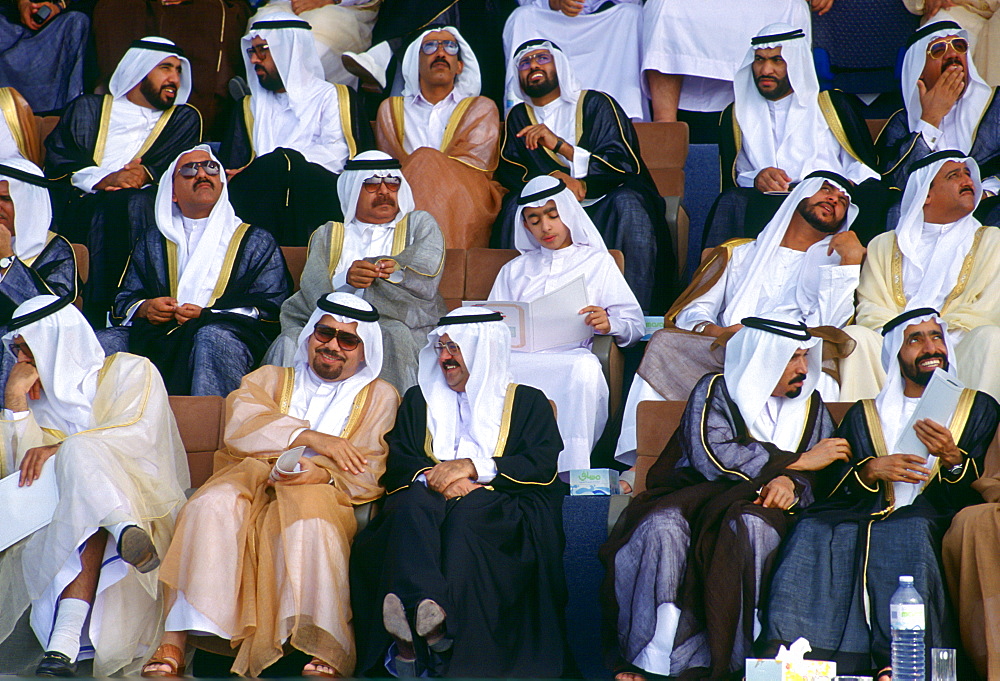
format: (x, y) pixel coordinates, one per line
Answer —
(135, 454)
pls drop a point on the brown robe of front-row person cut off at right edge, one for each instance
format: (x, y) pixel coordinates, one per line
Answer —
(971, 553)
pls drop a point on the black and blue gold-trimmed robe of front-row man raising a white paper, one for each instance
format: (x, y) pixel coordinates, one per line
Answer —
(840, 566)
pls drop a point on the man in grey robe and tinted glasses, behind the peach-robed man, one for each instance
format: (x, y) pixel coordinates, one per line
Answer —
(385, 252)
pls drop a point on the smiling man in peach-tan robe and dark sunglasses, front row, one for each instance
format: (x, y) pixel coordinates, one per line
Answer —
(259, 558)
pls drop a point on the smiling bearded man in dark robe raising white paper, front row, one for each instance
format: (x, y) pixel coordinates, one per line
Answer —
(912, 465)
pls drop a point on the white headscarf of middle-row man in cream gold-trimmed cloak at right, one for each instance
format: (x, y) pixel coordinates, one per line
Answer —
(934, 271)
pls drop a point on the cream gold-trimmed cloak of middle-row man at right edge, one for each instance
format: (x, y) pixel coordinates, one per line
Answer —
(973, 306)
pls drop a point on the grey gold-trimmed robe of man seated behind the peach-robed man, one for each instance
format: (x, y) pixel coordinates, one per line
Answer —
(408, 304)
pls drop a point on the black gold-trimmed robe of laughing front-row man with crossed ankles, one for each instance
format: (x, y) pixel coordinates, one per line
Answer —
(491, 559)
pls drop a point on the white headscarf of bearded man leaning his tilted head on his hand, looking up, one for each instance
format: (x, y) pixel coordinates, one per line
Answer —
(744, 302)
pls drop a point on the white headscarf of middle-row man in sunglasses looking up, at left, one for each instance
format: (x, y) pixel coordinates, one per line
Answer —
(198, 263)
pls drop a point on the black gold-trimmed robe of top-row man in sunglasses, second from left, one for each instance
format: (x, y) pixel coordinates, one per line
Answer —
(281, 191)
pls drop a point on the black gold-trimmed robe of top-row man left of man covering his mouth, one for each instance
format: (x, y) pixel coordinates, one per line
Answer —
(742, 212)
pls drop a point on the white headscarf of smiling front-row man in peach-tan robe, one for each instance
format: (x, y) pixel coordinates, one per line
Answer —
(327, 404)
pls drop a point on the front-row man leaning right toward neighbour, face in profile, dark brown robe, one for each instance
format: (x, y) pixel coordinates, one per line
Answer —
(691, 556)
